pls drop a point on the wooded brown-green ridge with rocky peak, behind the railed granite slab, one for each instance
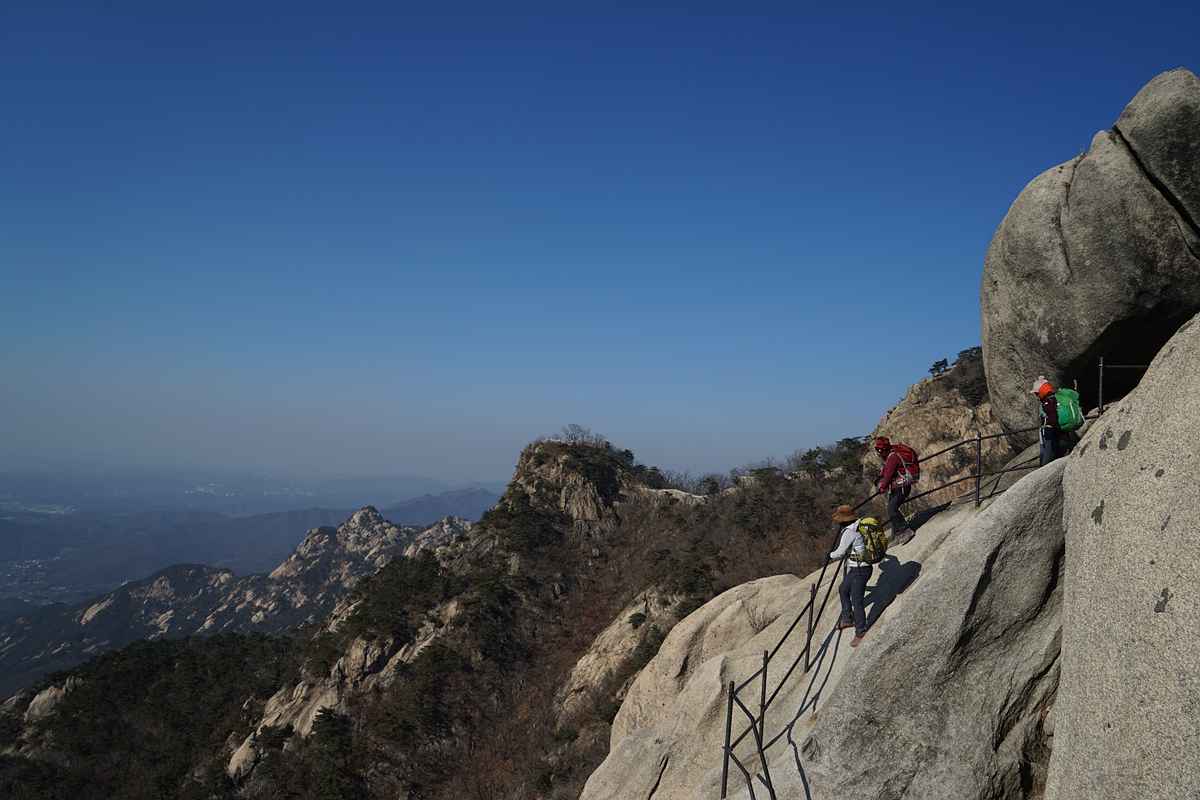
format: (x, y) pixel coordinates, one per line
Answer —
(495, 667)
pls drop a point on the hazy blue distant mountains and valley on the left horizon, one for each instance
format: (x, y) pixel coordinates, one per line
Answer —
(69, 537)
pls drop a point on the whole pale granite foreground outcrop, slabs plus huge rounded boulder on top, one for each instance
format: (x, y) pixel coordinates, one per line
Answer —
(1042, 646)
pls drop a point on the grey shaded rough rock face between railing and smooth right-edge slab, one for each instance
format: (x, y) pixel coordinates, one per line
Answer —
(953, 688)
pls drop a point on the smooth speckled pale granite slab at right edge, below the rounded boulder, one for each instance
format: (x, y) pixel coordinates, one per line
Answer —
(1129, 713)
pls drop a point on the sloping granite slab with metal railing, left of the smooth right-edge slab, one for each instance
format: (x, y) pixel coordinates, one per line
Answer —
(949, 688)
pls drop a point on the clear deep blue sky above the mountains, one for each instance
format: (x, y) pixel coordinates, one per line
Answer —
(410, 238)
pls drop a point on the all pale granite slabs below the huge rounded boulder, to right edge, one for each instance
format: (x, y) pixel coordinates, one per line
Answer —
(1051, 639)
